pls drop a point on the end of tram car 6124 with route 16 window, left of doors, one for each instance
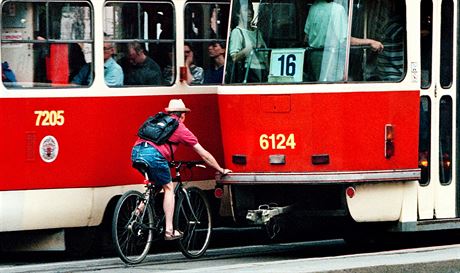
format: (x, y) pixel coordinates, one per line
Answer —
(311, 115)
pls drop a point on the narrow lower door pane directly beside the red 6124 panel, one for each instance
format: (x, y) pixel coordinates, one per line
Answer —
(424, 148)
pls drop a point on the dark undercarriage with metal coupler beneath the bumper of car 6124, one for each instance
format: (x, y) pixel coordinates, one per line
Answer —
(283, 208)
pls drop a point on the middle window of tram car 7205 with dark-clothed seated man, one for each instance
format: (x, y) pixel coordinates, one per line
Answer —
(142, 35)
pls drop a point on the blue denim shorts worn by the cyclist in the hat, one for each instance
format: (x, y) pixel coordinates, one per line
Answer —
(158, 166)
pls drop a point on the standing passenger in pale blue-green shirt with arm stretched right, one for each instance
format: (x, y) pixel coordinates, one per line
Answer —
(326, 31)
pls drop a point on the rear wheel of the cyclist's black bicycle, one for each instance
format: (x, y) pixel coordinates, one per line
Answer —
(132, 234)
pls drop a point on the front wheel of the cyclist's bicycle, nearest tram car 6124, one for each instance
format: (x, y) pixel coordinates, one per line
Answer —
(194, 219)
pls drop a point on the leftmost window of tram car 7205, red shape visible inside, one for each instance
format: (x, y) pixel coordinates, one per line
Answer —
(44, 45)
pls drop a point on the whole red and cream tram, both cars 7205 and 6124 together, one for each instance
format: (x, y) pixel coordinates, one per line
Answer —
(313, 132)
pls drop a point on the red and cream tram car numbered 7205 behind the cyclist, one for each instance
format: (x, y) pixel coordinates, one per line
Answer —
(67, 128)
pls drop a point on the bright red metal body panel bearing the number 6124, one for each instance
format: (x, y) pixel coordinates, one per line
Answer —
(349, 127)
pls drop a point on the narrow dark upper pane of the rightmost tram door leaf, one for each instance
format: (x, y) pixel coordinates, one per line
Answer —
(447, 39)
